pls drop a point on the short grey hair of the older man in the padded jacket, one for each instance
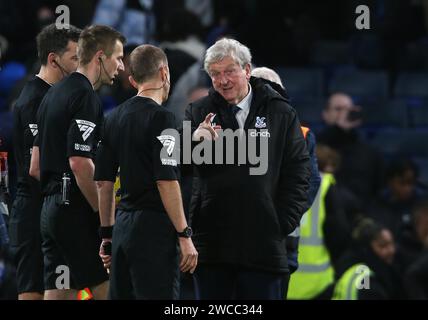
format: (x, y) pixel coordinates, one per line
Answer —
(227, 48)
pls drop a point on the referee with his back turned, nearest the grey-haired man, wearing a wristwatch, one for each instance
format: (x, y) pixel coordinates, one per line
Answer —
(150, 216)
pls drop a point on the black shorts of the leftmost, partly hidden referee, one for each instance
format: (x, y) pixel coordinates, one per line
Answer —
(26, 243)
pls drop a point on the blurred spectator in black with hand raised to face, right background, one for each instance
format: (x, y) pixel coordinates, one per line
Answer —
(361, 169)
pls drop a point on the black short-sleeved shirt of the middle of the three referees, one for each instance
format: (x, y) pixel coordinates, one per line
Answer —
(69, 119)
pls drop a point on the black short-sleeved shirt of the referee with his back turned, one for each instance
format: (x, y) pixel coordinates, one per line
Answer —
(132, 140)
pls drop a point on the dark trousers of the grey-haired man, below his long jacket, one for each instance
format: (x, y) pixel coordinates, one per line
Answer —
(224, 282)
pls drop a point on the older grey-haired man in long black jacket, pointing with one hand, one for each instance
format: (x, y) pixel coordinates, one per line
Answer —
(241, 220)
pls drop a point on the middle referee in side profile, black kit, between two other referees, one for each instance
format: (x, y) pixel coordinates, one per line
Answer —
(69, 119)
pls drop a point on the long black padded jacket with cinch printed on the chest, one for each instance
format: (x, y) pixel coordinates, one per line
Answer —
(243, 219)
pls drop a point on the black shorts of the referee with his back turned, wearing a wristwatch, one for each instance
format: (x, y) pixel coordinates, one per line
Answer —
(145, 257)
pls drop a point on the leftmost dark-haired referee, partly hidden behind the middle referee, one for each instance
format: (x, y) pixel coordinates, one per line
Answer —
(58, 57)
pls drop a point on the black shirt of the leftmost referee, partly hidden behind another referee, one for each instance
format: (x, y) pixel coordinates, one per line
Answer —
(24, 132)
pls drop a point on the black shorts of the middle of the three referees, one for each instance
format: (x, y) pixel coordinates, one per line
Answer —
(70, 241)
